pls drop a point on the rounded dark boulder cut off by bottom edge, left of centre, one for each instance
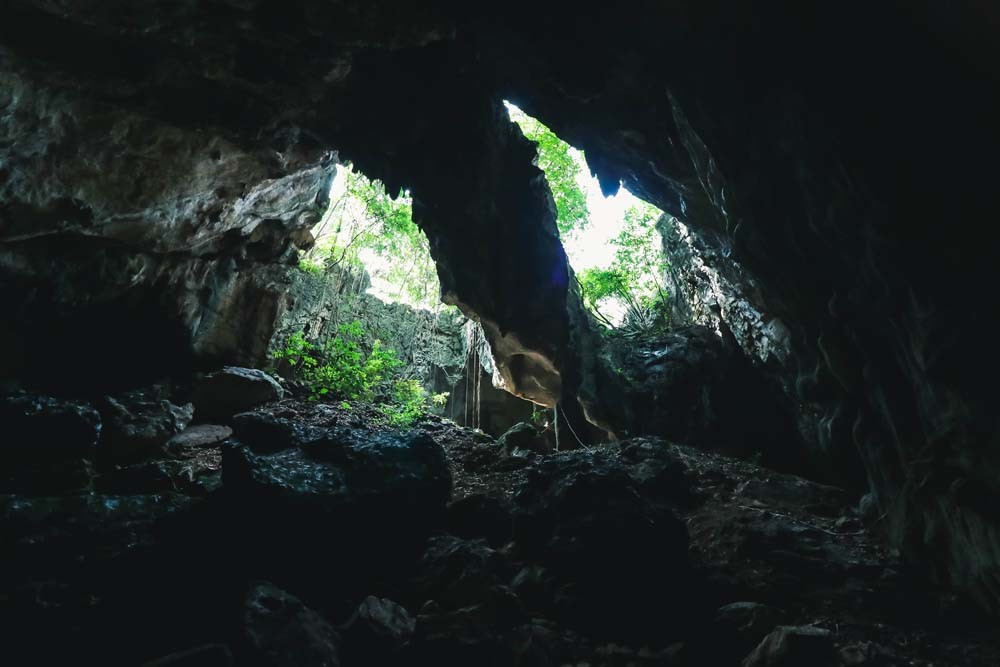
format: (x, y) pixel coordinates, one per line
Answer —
(283, 632)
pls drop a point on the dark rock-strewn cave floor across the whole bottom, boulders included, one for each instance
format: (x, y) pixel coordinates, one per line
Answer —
(309, 534)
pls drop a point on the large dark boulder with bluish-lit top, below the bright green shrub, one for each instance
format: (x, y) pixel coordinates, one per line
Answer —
(338, 508)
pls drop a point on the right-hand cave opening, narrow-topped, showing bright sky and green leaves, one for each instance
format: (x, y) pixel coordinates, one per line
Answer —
(612, 243)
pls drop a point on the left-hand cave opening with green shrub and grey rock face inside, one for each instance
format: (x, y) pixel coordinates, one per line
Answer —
(368, 324)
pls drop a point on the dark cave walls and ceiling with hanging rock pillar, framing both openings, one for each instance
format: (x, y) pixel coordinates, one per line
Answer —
(171, 154)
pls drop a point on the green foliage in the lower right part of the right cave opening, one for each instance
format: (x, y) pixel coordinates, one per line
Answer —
(636, 277)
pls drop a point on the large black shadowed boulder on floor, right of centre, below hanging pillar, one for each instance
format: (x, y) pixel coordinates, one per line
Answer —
(616, 551)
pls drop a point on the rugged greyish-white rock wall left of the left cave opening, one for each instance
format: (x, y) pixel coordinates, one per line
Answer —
(120, 234)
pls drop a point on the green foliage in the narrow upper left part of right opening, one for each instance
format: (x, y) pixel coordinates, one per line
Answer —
(562, 169)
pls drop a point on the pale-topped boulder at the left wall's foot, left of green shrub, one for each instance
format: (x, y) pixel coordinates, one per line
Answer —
(222, 394)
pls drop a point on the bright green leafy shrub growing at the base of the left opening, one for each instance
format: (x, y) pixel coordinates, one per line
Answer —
(343, 369)
